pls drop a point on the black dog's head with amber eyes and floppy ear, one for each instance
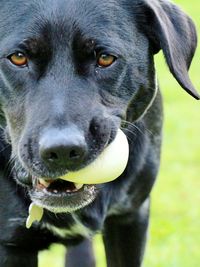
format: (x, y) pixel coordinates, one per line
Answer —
(69, 71)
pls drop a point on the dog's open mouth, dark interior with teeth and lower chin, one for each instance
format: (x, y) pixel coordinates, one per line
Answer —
(57, 195)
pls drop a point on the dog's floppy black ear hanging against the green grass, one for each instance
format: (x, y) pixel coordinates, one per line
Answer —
(171, 30)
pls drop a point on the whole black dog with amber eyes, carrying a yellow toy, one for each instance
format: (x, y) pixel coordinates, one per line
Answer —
(72, 73)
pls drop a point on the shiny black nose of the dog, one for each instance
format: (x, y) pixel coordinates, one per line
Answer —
(62, 148)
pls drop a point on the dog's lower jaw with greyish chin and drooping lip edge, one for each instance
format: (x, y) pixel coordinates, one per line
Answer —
(63, 201)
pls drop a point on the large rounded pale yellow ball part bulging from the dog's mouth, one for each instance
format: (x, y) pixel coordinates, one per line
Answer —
(107, 167)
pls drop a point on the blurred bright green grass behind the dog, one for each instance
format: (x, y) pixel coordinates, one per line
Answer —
(174, 234)
